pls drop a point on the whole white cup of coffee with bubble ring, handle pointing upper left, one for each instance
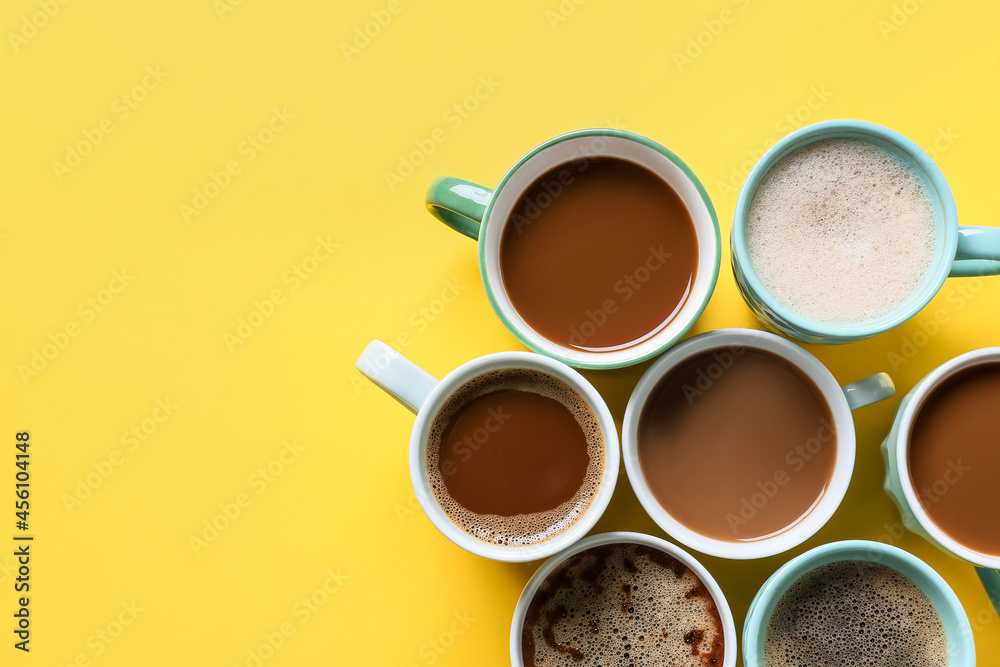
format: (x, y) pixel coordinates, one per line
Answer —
(439, 473)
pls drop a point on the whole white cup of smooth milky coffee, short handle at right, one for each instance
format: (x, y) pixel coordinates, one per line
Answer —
(741, 444)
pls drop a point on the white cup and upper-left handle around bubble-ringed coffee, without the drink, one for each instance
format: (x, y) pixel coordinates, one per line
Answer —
(424, 395)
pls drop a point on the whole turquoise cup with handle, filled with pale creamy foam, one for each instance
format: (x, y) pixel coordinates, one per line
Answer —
(952, 250)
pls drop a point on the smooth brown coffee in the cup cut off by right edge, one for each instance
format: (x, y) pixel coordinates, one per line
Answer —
(954, 456)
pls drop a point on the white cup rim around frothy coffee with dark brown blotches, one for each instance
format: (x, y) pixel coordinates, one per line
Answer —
(725, 614)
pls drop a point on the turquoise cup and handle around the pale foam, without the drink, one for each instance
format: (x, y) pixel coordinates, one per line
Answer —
(962, 251)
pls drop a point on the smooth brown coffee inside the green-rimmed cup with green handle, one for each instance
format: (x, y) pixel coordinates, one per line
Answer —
(599, 254)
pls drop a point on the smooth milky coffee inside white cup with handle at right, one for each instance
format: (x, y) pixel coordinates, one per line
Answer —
(737, 444)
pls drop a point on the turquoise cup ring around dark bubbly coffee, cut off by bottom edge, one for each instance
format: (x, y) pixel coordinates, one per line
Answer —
(961, 646)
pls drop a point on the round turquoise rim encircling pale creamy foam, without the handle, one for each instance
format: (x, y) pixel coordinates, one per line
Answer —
(895, 143)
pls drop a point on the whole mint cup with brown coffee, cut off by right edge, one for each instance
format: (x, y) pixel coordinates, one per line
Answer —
(932, 475)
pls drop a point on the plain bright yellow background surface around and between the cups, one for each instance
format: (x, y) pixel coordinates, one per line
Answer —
(341, 513)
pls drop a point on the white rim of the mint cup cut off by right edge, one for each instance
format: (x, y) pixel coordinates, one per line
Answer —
(921, 393)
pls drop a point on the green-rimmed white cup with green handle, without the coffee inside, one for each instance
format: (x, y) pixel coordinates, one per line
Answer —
(482, 213)
